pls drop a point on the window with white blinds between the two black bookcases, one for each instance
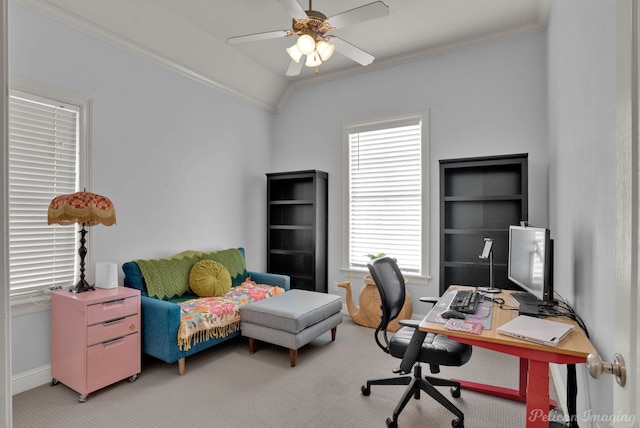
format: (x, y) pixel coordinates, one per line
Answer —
(387, 192)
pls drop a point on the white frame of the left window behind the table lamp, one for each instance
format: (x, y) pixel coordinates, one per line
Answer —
(38, 300)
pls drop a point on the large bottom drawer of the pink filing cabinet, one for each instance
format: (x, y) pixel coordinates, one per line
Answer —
(111, 361)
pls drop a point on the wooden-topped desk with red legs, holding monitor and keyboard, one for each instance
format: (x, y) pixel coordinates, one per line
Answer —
(534, 358)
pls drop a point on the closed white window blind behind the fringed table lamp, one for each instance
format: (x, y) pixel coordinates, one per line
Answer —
(43, 163)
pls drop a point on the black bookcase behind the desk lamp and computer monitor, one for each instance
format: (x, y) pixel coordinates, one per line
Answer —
(479, 198)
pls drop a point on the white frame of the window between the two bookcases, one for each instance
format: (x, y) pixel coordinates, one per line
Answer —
(390, 121)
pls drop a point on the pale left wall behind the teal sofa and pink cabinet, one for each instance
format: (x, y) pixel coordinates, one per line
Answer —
(183, 164)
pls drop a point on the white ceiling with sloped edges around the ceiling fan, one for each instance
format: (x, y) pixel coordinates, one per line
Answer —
(190, 36)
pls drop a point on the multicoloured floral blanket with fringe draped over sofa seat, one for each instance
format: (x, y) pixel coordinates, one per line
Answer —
(207, 317)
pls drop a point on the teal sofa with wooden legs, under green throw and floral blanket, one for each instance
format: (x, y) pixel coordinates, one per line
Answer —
(161, 316)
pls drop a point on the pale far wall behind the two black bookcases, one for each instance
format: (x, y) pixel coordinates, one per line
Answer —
(484, 101)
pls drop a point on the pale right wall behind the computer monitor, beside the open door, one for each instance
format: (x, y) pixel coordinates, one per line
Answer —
(581, 46)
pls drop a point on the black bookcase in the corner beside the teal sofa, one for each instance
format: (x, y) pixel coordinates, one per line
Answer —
(297, 227)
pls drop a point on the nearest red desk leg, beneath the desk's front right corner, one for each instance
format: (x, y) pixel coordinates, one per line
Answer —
(538, 395)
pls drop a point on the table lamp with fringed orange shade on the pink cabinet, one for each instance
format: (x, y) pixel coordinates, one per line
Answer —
(84, 208)
